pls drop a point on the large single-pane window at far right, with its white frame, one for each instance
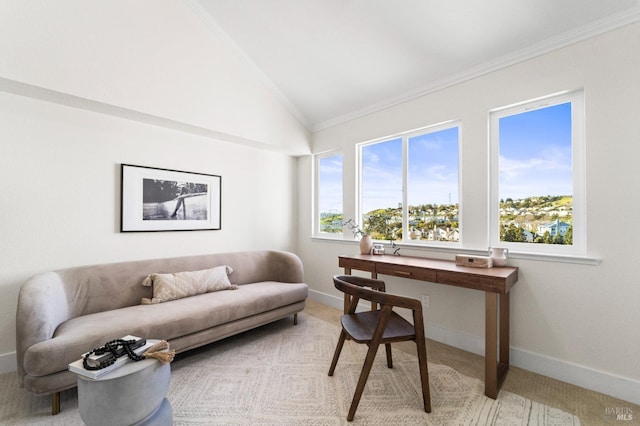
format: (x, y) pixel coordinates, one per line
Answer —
(537, 176)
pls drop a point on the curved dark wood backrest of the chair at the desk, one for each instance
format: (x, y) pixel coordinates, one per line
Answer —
(373, 291)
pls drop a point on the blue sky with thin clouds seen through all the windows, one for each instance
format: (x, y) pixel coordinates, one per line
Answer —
(535, 159)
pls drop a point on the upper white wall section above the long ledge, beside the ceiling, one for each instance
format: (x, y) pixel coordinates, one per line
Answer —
(156, 57)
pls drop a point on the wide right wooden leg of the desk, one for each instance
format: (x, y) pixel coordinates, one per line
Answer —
(497, 306)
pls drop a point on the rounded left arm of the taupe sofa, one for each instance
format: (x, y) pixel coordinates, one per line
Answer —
(42, 307)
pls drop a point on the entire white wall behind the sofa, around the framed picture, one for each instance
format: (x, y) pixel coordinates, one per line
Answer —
(80, 83)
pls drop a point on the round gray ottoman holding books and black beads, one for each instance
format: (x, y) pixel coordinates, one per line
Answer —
(133, 394)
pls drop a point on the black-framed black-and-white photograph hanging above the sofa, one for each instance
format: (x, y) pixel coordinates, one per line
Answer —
(169, 200)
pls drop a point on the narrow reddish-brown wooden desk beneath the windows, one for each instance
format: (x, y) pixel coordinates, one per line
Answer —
(495, 282)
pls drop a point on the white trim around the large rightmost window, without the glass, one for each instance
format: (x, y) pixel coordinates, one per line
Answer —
(578, 249)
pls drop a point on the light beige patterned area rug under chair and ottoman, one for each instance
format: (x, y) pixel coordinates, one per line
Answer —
(277, 375)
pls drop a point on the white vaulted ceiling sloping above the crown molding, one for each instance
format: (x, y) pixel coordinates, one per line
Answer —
(332, 60)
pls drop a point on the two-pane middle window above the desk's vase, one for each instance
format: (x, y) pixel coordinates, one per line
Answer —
(425, 162)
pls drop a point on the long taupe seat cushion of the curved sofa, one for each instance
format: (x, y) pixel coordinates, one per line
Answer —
(166, 321)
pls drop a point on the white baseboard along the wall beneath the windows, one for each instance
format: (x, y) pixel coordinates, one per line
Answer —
(585, 377)
